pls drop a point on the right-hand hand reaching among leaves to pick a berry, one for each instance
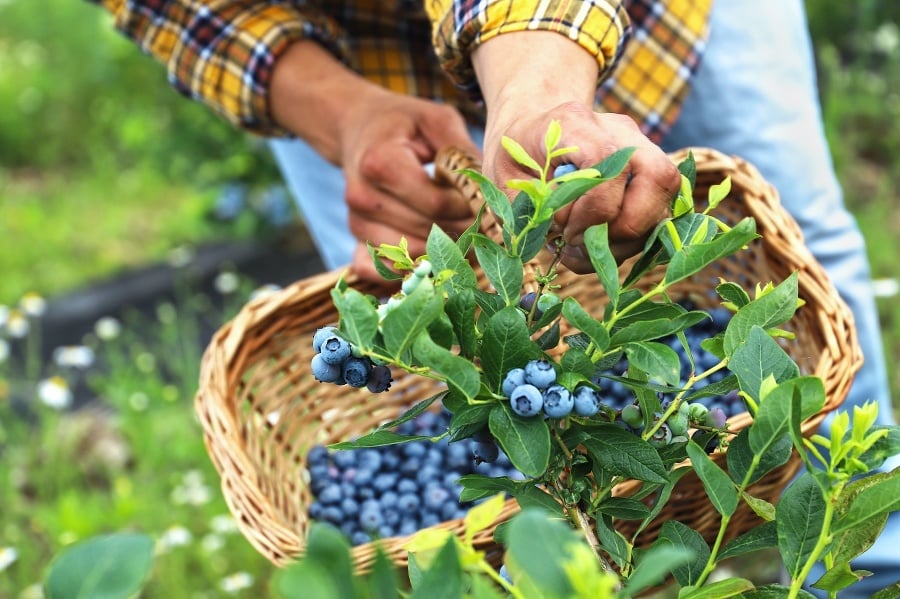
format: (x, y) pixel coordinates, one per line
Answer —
(632, 204)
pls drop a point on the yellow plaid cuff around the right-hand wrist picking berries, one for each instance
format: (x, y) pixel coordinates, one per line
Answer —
(459, 26)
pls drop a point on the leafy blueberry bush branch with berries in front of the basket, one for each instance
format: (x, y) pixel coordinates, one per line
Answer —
(515, 382)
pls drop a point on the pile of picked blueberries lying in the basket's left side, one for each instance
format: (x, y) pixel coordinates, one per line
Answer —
(397, 490)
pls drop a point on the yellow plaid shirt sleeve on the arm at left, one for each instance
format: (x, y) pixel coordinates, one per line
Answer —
(222, 52)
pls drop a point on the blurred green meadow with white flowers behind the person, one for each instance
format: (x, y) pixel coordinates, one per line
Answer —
(104, 168)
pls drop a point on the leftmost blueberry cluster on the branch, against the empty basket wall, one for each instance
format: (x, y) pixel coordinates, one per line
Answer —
(337, 362)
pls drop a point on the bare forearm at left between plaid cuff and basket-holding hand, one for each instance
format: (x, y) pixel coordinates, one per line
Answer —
(312, 93)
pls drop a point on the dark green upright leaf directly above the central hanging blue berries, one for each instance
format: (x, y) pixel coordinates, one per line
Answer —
(505, 345)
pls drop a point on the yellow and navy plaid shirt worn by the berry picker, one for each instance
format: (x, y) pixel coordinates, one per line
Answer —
(222, 52)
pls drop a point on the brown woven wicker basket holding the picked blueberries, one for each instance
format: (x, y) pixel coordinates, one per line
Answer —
(261, 409)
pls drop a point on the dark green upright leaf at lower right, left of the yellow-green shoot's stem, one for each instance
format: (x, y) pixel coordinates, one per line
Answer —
(800, 516)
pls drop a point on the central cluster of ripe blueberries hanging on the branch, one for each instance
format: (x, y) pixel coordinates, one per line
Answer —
(533, 389)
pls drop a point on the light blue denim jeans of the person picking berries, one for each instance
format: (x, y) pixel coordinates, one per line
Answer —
(754, 96)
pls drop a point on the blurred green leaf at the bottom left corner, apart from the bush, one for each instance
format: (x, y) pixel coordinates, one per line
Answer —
(103, 567)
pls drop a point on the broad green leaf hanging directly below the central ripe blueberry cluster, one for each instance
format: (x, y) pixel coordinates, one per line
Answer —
(525, 441)
